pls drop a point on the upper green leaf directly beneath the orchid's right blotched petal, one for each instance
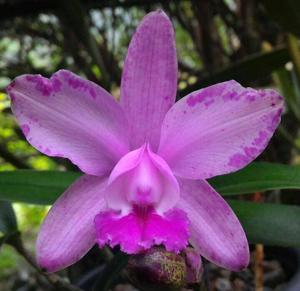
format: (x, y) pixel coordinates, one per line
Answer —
(258, 177)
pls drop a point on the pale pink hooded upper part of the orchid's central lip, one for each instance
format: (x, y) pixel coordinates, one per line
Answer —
(142, 178)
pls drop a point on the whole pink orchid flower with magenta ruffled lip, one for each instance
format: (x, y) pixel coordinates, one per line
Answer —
(145, 160)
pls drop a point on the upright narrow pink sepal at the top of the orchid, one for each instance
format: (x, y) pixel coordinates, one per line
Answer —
(149, 79)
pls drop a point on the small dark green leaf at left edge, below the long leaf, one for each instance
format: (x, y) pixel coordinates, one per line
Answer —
(8, 221)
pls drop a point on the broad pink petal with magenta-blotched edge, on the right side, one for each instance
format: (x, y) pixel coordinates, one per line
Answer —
(219, 129)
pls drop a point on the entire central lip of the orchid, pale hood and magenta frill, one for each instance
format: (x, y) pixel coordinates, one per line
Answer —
(141, 195)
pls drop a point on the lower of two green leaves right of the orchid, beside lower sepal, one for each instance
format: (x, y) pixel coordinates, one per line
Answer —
(269, 224)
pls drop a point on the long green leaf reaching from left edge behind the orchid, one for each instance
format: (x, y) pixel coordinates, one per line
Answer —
(34, 187)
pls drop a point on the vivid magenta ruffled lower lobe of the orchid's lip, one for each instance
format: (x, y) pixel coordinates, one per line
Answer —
(139, 230)
